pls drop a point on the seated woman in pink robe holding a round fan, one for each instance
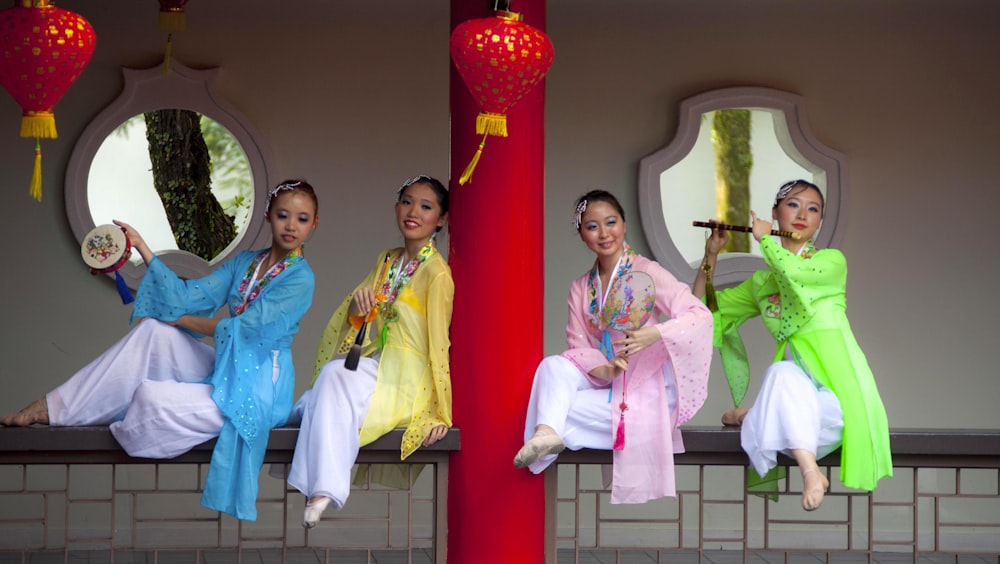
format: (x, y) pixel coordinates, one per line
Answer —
(627, 391)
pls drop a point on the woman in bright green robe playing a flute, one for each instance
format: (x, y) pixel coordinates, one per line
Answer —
(819, 394)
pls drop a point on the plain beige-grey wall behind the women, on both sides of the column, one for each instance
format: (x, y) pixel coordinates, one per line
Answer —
(353, 96)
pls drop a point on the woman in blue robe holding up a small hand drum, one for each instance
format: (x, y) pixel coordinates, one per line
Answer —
(163, 391)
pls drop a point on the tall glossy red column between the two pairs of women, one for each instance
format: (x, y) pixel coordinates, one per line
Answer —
(495, 511)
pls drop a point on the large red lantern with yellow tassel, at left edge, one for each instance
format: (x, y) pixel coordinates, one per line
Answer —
(43, 49)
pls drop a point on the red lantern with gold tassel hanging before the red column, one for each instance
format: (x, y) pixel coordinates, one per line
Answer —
(500, 59)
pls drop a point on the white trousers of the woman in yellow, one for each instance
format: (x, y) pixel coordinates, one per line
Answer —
(330, 416)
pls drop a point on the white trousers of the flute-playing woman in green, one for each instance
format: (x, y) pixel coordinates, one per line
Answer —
(791, 412)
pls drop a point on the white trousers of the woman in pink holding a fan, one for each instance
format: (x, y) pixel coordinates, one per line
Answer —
(563, 398)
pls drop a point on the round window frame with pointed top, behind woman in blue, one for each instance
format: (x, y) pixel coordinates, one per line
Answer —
(150, 89)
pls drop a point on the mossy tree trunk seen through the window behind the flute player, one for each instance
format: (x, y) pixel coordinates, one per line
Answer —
(733, 161)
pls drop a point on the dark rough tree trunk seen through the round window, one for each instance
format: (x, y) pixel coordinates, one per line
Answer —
(182, 177)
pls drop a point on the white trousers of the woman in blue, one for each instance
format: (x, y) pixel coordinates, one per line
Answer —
(148, 388)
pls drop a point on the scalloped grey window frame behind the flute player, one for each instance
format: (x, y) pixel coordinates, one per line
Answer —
(794, 136)
